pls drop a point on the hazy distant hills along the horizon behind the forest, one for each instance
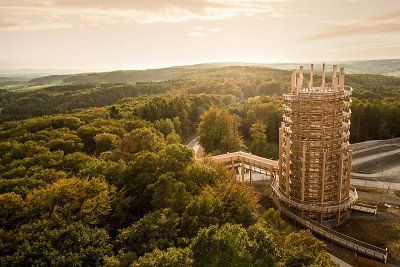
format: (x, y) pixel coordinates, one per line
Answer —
(18, 81)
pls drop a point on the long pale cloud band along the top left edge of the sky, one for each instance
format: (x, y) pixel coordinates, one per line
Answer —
(35, 14)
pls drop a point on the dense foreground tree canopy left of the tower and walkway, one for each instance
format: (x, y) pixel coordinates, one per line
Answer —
(102, 187)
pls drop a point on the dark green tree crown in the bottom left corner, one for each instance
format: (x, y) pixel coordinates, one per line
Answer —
(46, 243)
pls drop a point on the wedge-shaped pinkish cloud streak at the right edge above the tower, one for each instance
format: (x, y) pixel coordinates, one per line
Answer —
(386, 23)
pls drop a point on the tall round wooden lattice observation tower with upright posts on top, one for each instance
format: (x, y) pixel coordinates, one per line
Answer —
(314, 157)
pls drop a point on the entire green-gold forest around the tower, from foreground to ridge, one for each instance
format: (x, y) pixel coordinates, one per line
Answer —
(98, 174)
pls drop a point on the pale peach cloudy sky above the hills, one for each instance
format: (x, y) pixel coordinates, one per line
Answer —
(139, 34)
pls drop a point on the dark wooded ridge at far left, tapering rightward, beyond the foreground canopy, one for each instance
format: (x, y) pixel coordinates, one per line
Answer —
(65, 98)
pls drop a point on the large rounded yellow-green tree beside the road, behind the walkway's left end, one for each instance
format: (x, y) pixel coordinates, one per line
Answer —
(218, 131)
